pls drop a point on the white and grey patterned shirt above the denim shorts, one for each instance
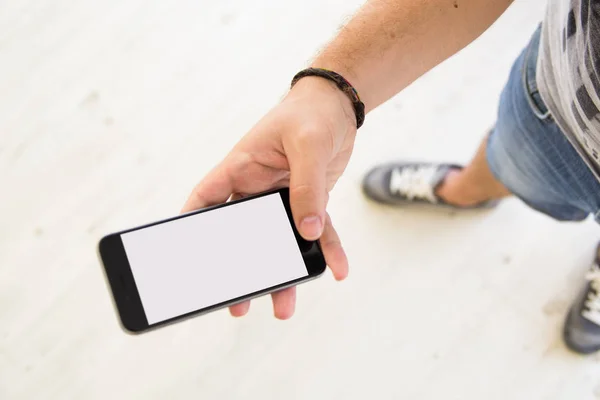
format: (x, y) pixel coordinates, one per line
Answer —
(568, 73)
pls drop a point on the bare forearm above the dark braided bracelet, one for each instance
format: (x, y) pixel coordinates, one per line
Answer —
(390, 43)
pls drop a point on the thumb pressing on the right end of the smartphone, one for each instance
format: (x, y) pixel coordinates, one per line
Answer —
(308, 193)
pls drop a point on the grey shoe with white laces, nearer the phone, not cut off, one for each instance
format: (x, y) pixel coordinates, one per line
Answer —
(404, 183)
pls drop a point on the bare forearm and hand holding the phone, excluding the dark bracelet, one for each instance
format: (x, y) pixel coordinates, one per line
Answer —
(305, 142)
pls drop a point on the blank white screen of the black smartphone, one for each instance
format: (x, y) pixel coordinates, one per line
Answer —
(204, 259)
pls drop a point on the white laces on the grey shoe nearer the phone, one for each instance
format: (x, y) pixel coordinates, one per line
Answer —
(414, 183)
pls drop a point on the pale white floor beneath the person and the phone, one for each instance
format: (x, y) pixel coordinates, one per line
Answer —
(110, 111)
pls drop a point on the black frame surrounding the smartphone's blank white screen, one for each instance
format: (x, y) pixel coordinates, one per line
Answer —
(124, 290)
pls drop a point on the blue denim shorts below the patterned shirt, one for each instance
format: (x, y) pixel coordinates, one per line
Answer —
(531, 156)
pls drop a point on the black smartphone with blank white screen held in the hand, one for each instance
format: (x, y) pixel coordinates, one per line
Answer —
(207, 259)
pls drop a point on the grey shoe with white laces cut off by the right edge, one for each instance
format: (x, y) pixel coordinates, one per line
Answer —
(582, 327)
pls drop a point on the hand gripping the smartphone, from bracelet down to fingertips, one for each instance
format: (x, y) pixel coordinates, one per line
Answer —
(305, 143)
